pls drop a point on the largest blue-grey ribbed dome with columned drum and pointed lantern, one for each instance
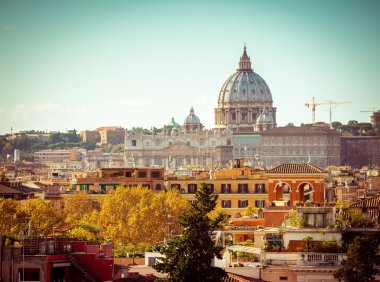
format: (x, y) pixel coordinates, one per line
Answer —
(245, 101)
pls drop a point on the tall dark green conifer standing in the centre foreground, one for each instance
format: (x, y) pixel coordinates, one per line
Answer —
(188, 257)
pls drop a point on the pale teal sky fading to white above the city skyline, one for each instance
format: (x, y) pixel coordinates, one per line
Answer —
(82, 64)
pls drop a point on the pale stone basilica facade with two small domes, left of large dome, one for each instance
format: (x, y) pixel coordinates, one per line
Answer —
(189, 145)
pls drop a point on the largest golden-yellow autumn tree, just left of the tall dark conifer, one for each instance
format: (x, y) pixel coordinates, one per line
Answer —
(136, 214)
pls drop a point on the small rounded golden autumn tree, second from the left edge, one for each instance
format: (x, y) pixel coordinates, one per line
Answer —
(42, 216)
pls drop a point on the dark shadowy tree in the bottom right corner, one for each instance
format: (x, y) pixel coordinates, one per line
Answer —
(362, 261)
